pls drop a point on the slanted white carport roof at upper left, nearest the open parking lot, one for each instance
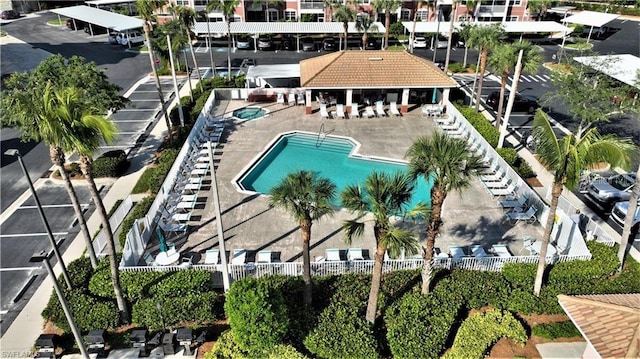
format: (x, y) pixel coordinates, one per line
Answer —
(106, 19)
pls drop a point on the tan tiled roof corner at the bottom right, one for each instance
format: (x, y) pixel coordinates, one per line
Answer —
(609, 322)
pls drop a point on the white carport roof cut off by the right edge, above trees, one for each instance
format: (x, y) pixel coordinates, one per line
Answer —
(624, 68)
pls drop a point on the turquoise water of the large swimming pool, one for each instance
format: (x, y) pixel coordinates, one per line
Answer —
(329, 157)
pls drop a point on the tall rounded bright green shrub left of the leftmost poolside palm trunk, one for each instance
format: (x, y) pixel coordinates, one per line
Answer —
(257, 314)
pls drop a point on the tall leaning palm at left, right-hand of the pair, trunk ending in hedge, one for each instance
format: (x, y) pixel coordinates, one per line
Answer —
(88, 131)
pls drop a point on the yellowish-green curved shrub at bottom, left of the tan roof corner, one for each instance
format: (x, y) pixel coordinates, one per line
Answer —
(479, 332)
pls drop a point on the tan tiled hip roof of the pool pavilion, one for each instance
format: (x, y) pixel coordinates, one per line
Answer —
(371, 69)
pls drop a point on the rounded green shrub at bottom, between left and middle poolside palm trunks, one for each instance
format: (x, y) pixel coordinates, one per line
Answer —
(342, 333)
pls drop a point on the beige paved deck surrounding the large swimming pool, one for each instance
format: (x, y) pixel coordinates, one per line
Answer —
(470, 218)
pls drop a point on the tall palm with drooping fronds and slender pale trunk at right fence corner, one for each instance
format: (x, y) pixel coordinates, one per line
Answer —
(566, 158)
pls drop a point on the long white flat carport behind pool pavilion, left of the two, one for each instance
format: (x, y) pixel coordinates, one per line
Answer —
(295, 28)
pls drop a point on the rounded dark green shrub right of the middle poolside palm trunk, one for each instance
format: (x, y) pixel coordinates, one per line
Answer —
(418, 325)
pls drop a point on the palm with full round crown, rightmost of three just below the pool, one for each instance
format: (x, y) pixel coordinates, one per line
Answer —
(448, 163)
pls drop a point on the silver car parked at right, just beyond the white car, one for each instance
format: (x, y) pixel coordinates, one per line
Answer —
(605, 192)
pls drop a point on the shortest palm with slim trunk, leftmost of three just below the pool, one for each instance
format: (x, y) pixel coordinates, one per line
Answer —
(307, 198)
